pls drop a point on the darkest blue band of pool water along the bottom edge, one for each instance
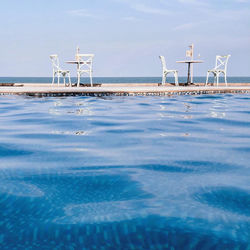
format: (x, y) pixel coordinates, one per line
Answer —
(152, 232)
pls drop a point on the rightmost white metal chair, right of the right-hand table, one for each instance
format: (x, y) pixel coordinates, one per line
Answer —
(220, 68)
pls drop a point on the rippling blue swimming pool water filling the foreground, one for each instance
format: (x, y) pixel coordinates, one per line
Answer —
(125, 172)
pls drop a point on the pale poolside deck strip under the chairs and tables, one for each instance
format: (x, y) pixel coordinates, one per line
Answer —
(120, 89)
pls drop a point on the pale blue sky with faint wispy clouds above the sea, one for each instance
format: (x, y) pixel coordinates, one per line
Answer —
(126, 36)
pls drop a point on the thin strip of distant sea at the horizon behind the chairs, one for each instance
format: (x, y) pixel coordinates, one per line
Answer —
(119, 79)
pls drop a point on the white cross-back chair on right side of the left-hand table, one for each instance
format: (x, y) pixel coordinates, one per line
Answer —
(85, 66)
